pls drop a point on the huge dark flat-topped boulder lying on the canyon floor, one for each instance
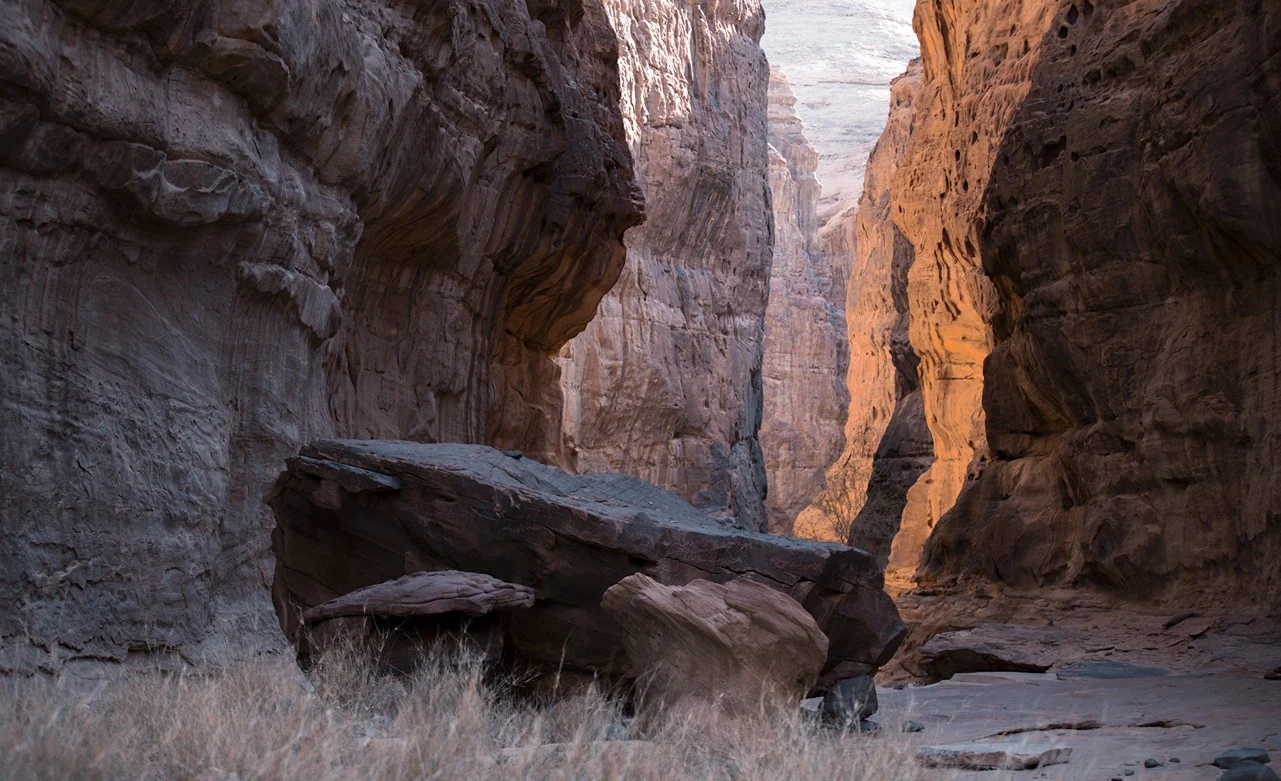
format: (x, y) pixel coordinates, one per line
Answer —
(354, 514)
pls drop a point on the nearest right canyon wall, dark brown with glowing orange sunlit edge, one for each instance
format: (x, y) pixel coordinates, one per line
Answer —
(1093, 193)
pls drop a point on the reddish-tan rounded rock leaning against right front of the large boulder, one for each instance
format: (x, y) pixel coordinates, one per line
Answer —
(737, 646)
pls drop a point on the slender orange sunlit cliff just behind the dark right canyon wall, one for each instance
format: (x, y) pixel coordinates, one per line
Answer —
(887, 444)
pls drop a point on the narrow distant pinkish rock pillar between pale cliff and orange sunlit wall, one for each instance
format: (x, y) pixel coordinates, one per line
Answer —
(805, 326)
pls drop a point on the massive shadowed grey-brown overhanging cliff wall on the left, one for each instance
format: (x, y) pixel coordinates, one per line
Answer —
(233, 227)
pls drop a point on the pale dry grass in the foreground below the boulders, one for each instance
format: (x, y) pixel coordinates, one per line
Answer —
(265, 720)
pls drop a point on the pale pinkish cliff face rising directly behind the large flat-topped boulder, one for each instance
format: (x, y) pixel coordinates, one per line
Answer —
(694, 293)
